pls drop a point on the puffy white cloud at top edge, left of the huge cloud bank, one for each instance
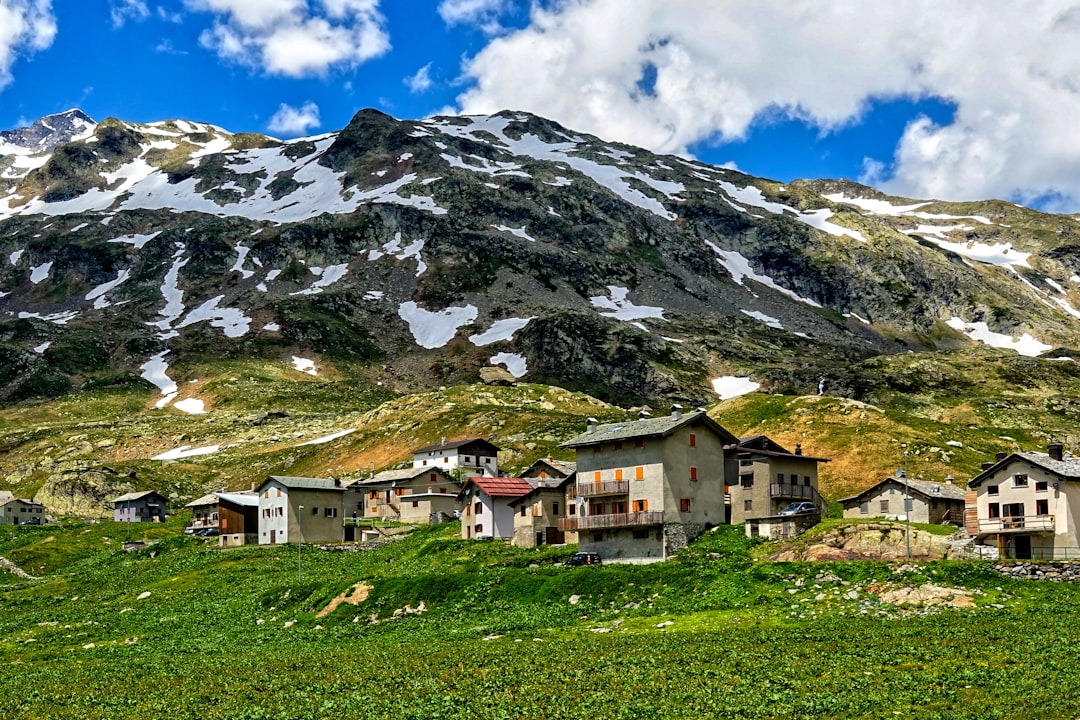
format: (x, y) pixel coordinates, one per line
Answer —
(294, 38)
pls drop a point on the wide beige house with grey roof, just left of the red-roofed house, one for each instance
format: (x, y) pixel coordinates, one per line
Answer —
(414, 495)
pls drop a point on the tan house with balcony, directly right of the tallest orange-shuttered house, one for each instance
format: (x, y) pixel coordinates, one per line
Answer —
(772, 478)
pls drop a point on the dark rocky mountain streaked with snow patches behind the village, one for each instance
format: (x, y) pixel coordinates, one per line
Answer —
(437, 248)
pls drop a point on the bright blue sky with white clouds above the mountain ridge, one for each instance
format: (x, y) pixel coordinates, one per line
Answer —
(925, 99)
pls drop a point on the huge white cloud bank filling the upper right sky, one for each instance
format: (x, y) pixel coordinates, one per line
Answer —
(670, 74)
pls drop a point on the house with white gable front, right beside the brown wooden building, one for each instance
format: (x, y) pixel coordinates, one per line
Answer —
(303, 509)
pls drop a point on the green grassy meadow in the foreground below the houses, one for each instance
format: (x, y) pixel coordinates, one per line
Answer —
(235, 634)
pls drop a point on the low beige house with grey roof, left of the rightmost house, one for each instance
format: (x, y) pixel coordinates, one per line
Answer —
(938, 504)
